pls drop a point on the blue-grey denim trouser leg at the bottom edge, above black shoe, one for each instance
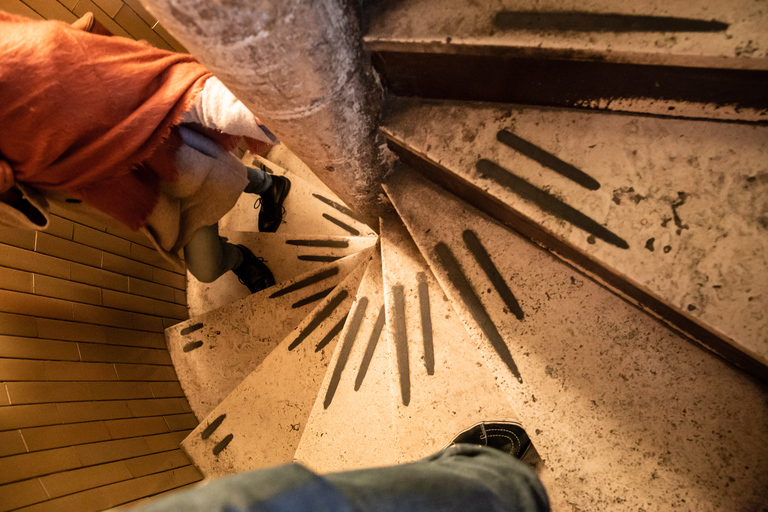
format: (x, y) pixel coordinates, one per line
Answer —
(458, 479)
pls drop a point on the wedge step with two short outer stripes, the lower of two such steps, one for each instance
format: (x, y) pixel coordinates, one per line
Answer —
(260, 423)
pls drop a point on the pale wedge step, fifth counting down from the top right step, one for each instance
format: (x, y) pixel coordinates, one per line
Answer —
(351, 425)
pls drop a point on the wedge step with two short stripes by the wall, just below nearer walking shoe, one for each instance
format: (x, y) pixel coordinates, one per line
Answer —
(213, 352)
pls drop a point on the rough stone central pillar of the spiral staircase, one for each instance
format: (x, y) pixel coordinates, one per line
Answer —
(300, 67)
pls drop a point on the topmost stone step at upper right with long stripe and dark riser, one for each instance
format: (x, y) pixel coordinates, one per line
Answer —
(698, 58)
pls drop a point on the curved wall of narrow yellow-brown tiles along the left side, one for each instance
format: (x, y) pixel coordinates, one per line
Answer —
(91, 411)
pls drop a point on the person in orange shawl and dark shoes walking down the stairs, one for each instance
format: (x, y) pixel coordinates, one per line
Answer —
(134, 132)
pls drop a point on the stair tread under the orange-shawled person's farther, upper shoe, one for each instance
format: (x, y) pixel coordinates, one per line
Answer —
(308, 209)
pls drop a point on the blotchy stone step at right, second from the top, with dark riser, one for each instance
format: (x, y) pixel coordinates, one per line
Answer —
(672, 214)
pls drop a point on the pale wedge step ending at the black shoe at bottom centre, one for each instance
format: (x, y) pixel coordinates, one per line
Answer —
(444, 387)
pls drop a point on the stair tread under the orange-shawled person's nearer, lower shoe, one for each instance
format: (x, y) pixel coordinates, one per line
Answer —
(287, 256)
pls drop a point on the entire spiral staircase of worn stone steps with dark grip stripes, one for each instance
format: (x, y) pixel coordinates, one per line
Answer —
(599, 275)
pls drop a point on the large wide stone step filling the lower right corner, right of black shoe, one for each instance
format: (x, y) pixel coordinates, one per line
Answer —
(626, 413)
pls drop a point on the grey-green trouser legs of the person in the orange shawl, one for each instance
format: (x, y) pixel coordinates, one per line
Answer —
(209, 257)
